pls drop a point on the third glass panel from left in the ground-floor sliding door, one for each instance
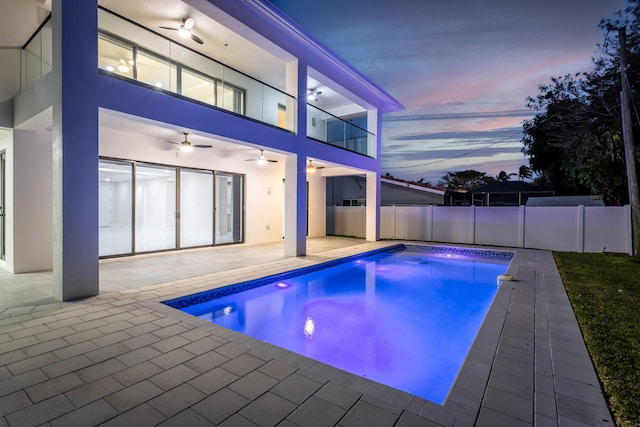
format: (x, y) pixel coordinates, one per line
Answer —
(196, 208)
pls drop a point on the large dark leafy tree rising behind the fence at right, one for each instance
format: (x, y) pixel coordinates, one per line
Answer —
(574, 142)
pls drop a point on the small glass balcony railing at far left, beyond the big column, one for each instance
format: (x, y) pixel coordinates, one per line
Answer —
(37, 55)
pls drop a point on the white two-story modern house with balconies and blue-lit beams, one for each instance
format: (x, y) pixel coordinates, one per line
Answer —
(129, 127)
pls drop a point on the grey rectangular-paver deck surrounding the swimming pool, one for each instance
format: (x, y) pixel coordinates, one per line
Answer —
(123, 358)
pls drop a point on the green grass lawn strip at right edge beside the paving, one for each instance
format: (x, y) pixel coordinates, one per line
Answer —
(605, 294)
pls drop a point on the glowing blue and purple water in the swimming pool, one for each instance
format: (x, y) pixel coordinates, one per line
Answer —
(404, 318)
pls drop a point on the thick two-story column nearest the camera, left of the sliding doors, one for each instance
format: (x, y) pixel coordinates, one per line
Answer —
(75, 149)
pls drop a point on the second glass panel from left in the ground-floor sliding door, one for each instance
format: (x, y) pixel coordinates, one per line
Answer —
(155, 222)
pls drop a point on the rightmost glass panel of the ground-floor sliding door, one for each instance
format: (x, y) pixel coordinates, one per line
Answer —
(228, 208)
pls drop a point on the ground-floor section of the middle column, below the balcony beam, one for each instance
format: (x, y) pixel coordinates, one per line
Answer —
(295, 206)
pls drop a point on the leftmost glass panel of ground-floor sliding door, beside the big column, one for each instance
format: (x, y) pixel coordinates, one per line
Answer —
(115, 207)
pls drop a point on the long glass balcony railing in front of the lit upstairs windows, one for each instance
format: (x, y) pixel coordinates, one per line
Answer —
(129, 50)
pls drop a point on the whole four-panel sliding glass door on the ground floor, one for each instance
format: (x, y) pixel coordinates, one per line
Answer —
(147, 208)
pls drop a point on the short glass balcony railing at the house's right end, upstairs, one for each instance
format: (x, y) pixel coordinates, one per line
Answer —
(325, 127)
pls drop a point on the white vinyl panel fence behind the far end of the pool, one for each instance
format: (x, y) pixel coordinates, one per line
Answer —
(558, 228)
